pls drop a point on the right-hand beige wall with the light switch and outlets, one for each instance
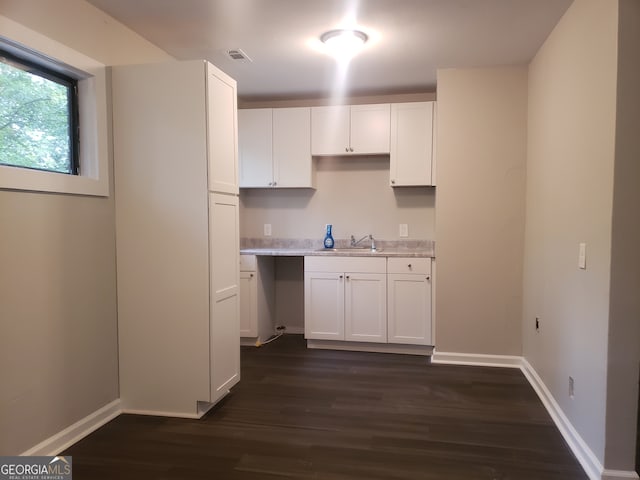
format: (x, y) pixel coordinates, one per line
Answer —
(571, 187)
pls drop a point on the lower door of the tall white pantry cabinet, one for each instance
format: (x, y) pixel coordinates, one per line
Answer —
(224, 274)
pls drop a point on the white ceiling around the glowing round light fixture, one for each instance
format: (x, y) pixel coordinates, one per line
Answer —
(409, 39)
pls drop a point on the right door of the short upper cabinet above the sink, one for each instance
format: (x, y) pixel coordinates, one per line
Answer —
(370, 128)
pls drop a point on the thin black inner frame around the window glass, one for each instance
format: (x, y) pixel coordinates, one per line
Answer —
(43, 70)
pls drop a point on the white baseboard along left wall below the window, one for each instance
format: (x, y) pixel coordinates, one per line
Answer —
(76, 432)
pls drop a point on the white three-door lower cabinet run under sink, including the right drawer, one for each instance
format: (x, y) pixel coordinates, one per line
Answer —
(364, 299)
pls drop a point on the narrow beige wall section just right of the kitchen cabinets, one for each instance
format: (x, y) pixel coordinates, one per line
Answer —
(481, 142)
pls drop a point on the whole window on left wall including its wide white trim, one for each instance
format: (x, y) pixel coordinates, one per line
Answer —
(85, 170)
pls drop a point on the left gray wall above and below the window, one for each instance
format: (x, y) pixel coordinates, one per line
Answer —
(58, 325)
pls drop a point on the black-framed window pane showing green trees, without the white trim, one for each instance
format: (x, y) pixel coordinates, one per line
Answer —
(38, 116)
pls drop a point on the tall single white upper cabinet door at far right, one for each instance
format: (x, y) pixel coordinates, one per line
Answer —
(411, 144)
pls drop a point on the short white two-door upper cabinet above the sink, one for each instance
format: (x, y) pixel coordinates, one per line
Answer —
(350, 130)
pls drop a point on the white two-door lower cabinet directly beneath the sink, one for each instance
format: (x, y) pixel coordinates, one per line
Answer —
(345, 299)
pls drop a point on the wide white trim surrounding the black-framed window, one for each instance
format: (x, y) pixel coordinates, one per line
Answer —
(93, 116)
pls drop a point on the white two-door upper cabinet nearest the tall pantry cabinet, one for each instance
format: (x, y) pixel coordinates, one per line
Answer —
(275, 148)
